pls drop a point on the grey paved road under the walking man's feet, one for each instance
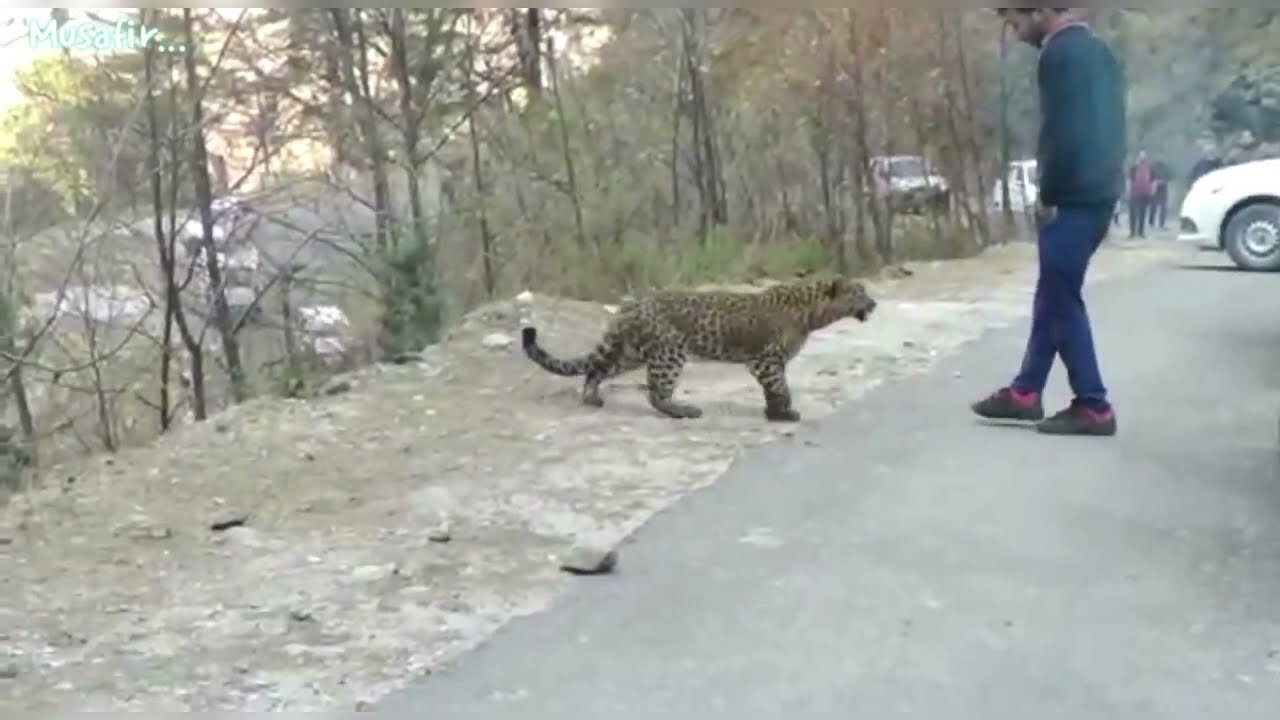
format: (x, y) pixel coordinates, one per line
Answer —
(916, 564)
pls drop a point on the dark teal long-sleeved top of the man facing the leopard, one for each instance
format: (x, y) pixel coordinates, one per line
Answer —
(1082, 142)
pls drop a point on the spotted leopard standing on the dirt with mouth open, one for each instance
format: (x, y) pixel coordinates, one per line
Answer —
(662, 331)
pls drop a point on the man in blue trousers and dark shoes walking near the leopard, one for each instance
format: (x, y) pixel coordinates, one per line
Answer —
(1082, 177)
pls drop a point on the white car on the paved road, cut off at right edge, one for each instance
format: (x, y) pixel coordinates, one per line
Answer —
(1237, 209)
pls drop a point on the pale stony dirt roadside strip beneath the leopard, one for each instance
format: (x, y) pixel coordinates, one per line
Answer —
(394, 526)
